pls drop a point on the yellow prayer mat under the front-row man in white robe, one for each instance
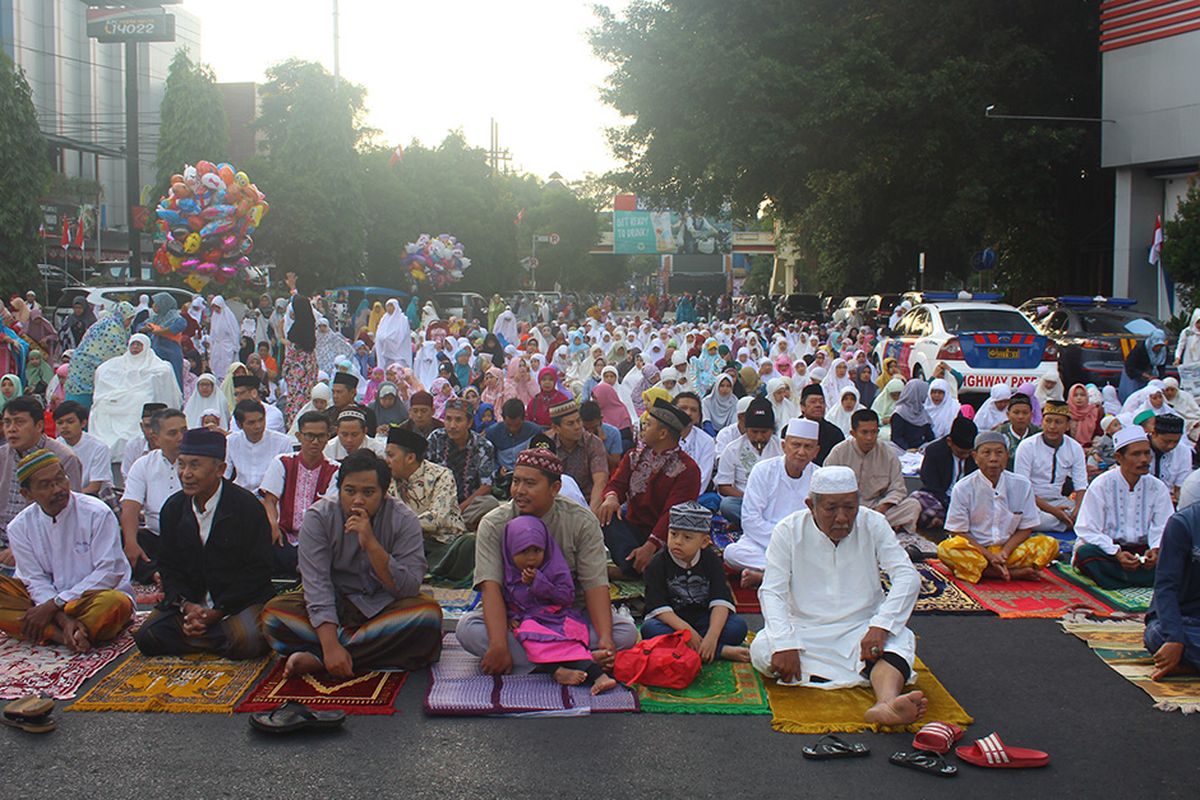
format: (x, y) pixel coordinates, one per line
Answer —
(805, 709)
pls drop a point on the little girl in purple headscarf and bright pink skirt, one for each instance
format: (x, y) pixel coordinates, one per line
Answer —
(538, 593)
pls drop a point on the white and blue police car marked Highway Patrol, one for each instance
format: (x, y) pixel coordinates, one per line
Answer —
(987, 342)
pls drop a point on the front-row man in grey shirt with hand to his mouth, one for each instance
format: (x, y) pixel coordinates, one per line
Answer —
(362, 564)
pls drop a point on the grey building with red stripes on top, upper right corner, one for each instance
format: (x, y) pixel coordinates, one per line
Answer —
(1151, 134)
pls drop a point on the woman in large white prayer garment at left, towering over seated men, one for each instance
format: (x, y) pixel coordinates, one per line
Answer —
(124, 386)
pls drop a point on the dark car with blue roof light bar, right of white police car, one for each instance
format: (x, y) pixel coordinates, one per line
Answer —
(1095, 339)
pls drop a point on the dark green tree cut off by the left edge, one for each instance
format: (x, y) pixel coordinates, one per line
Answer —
(25, 172)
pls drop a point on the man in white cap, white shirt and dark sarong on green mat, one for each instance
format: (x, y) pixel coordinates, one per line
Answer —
(1123, 516)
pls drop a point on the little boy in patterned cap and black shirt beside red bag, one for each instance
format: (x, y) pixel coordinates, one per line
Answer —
(687, 591)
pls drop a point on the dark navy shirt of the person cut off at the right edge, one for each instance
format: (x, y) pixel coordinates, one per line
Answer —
(1178, 575)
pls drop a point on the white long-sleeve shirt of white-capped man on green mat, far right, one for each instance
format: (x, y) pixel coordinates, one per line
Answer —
(1113, 515)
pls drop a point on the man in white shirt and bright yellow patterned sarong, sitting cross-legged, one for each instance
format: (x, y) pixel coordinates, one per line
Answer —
(992, 519)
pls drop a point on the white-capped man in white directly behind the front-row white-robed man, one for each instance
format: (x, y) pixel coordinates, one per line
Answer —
(776, 489)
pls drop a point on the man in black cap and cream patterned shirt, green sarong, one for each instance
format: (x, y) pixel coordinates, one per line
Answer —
(430, 491)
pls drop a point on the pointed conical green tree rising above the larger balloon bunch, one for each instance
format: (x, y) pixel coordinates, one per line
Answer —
(194, 121)
